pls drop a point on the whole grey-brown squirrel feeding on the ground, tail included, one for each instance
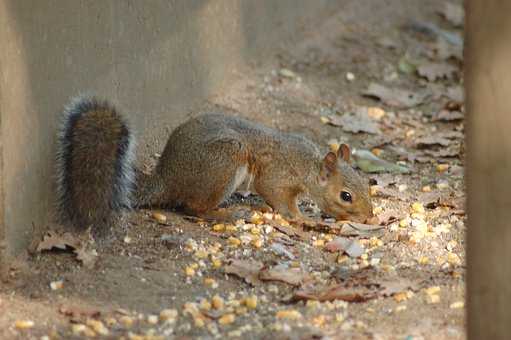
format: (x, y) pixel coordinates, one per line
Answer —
(204, 161)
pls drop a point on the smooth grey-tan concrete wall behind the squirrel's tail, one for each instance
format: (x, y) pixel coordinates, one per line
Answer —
(156, 58)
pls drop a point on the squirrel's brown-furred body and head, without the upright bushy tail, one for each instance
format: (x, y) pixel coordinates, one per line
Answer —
(205, 158)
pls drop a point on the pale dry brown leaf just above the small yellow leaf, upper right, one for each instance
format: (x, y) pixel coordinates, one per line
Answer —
(395, 97)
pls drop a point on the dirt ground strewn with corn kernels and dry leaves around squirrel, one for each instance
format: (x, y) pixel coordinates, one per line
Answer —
(262, 278)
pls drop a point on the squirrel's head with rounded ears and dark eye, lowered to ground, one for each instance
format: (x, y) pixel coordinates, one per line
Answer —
(343, 193)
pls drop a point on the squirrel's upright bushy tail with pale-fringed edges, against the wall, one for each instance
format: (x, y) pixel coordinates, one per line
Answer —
(95, 165)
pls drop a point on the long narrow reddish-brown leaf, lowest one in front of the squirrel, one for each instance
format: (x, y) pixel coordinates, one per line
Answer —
(335, 292)
